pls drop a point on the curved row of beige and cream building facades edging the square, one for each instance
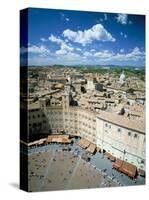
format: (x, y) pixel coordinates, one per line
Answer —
(121, 137)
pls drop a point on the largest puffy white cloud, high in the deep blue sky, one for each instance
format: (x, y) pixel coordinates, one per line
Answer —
(97, 32)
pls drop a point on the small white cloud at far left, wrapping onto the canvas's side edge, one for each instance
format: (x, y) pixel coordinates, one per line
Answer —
(35, 49)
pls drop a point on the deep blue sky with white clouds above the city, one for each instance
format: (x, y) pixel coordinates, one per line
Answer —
(76, 37)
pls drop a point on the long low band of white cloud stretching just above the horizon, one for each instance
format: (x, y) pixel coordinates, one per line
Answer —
(67, 56)
